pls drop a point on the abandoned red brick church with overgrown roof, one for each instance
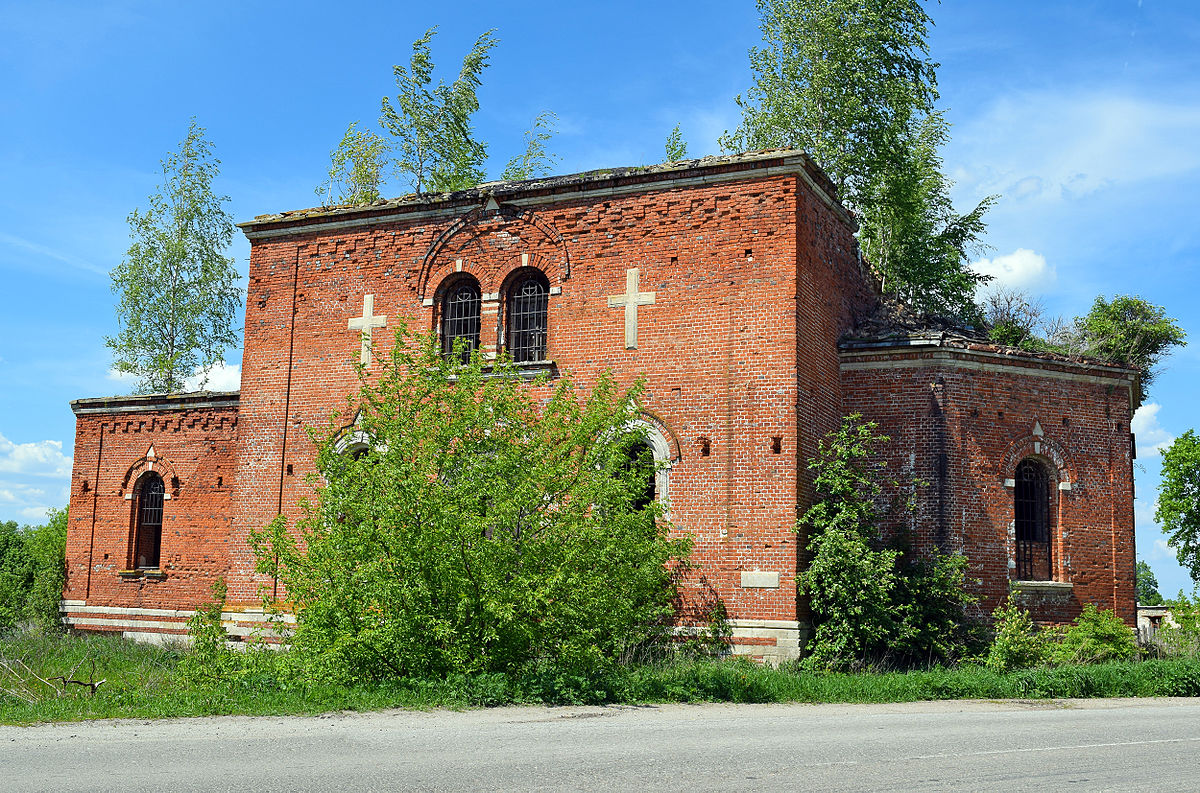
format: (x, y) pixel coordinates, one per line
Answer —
(733, 284)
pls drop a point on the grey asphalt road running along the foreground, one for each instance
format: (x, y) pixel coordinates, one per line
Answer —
(1085, 746)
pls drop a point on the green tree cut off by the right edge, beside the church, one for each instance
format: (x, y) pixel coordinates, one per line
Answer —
(1179, 501)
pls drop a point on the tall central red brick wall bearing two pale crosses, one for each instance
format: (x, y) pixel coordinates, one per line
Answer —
(746, 274)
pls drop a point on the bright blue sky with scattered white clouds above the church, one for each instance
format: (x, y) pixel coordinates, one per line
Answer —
(1085, 118)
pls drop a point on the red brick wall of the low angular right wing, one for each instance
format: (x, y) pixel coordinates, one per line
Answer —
(980, 411)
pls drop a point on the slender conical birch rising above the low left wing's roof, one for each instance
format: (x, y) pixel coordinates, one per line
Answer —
(178, 292)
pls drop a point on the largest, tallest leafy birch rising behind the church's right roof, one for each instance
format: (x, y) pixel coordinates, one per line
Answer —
(851, 83)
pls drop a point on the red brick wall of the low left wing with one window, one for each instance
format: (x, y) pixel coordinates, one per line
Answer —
(195, 446)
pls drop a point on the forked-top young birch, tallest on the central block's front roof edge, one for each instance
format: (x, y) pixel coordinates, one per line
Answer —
(431, 124)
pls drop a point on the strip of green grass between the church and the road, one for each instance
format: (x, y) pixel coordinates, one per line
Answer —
(146, 683)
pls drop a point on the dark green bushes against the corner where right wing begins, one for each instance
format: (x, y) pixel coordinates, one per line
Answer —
(873, 602)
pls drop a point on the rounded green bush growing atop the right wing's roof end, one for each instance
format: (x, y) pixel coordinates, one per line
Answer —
(1131, 332)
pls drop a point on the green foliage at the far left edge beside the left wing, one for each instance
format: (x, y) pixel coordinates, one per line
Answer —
(33, 570)
